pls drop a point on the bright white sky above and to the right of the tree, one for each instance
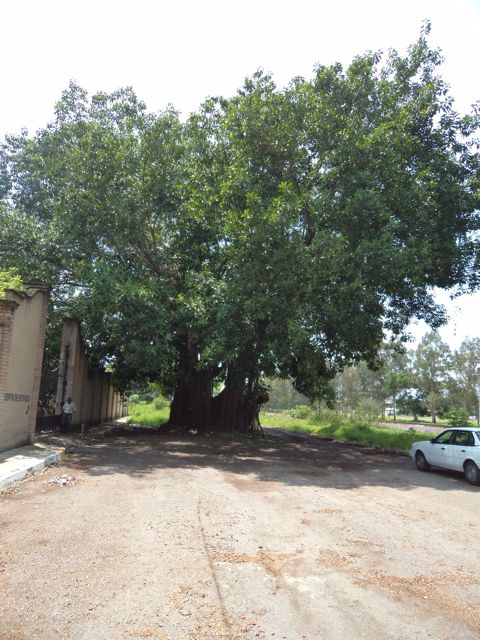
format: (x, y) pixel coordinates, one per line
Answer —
(181, 51)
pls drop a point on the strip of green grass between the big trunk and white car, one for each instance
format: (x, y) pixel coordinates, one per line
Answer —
(338, 428)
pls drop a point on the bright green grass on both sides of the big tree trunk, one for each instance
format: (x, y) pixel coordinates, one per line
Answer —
(330, 425)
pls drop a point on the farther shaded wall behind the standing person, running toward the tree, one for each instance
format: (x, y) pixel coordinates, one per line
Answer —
(90, 388)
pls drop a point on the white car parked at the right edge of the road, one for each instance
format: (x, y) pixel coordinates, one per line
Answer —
(457, 449)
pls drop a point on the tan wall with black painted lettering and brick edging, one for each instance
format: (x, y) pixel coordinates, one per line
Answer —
(23, 317)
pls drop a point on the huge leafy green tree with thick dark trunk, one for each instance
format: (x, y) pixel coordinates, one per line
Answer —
(279, 232)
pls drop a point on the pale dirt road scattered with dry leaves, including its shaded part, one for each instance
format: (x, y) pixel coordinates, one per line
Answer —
(199, 538)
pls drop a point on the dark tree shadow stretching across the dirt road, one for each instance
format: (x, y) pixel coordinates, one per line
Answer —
(281, 456)
